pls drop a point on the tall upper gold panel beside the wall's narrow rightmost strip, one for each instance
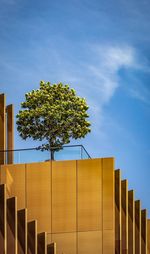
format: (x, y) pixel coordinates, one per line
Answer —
(89, 194)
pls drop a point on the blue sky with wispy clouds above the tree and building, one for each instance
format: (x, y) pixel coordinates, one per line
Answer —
(102, 49)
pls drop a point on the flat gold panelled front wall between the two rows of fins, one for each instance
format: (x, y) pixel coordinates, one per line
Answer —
(72, 200)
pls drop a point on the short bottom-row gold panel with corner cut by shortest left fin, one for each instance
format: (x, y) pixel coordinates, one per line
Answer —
(65, 242)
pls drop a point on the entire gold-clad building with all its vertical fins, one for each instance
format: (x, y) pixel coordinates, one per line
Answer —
(83, 205)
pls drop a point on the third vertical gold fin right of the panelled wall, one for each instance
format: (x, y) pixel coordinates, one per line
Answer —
(131, 223)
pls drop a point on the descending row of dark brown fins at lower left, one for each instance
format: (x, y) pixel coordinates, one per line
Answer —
(17, 235)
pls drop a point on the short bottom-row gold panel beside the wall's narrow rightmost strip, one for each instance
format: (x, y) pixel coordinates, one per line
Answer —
(90, 242)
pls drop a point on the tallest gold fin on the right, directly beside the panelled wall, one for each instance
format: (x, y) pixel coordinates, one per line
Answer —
(117, 212)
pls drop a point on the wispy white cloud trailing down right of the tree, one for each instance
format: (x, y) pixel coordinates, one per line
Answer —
(104, 74)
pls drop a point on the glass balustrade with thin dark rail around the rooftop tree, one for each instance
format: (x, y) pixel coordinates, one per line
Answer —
(28, 155)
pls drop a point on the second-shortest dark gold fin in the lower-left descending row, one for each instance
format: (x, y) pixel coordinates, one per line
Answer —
(42, 243)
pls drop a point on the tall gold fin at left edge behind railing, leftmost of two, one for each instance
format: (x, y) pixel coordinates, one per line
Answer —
(2, 128)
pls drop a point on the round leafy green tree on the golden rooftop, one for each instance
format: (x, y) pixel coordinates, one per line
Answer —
(53, 114)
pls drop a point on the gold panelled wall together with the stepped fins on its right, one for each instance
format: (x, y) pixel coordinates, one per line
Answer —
(84, 205)
